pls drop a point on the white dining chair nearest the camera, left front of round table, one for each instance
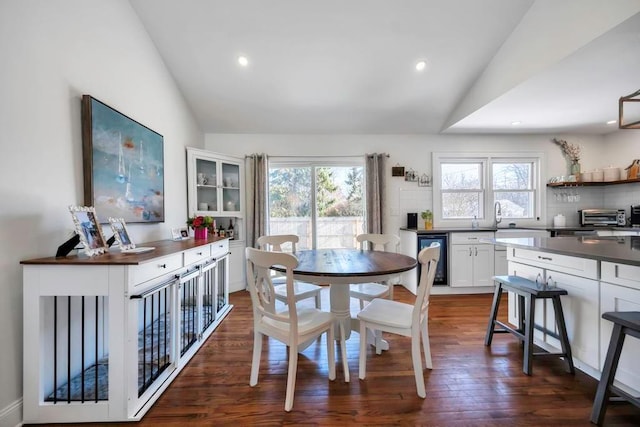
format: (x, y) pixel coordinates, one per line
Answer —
(293, 327)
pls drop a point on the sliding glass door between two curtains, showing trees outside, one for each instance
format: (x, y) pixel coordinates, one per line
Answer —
(322, 202)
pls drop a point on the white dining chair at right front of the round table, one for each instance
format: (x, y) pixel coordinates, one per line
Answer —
(409, 320)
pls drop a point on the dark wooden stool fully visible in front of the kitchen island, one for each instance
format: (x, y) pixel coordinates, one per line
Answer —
(528, 292)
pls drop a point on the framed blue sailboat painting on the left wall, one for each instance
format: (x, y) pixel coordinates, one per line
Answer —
(123, 165)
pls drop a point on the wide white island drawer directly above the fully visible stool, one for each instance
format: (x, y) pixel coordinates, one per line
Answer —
(566, 264)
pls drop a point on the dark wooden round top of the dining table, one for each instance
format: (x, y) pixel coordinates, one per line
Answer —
(351, 263)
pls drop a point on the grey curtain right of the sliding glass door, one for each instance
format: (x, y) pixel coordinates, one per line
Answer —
(375, 181)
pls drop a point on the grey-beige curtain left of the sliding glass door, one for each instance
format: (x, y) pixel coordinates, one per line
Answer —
(256, 194)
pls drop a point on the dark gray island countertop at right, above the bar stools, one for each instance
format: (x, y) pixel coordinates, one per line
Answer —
(625, 250)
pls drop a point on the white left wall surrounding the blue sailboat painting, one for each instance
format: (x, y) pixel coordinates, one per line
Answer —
(53, 52)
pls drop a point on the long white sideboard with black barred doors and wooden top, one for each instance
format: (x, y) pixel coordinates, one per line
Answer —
(105, 336)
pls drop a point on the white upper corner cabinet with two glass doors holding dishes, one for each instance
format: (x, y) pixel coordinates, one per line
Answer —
(215, 184)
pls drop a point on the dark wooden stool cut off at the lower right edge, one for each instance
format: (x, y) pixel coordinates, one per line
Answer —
(624, 323)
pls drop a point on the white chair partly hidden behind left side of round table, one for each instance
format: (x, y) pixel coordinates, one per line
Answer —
(302, 290)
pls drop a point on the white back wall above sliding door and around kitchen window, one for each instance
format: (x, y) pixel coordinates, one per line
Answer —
(414, 151)
